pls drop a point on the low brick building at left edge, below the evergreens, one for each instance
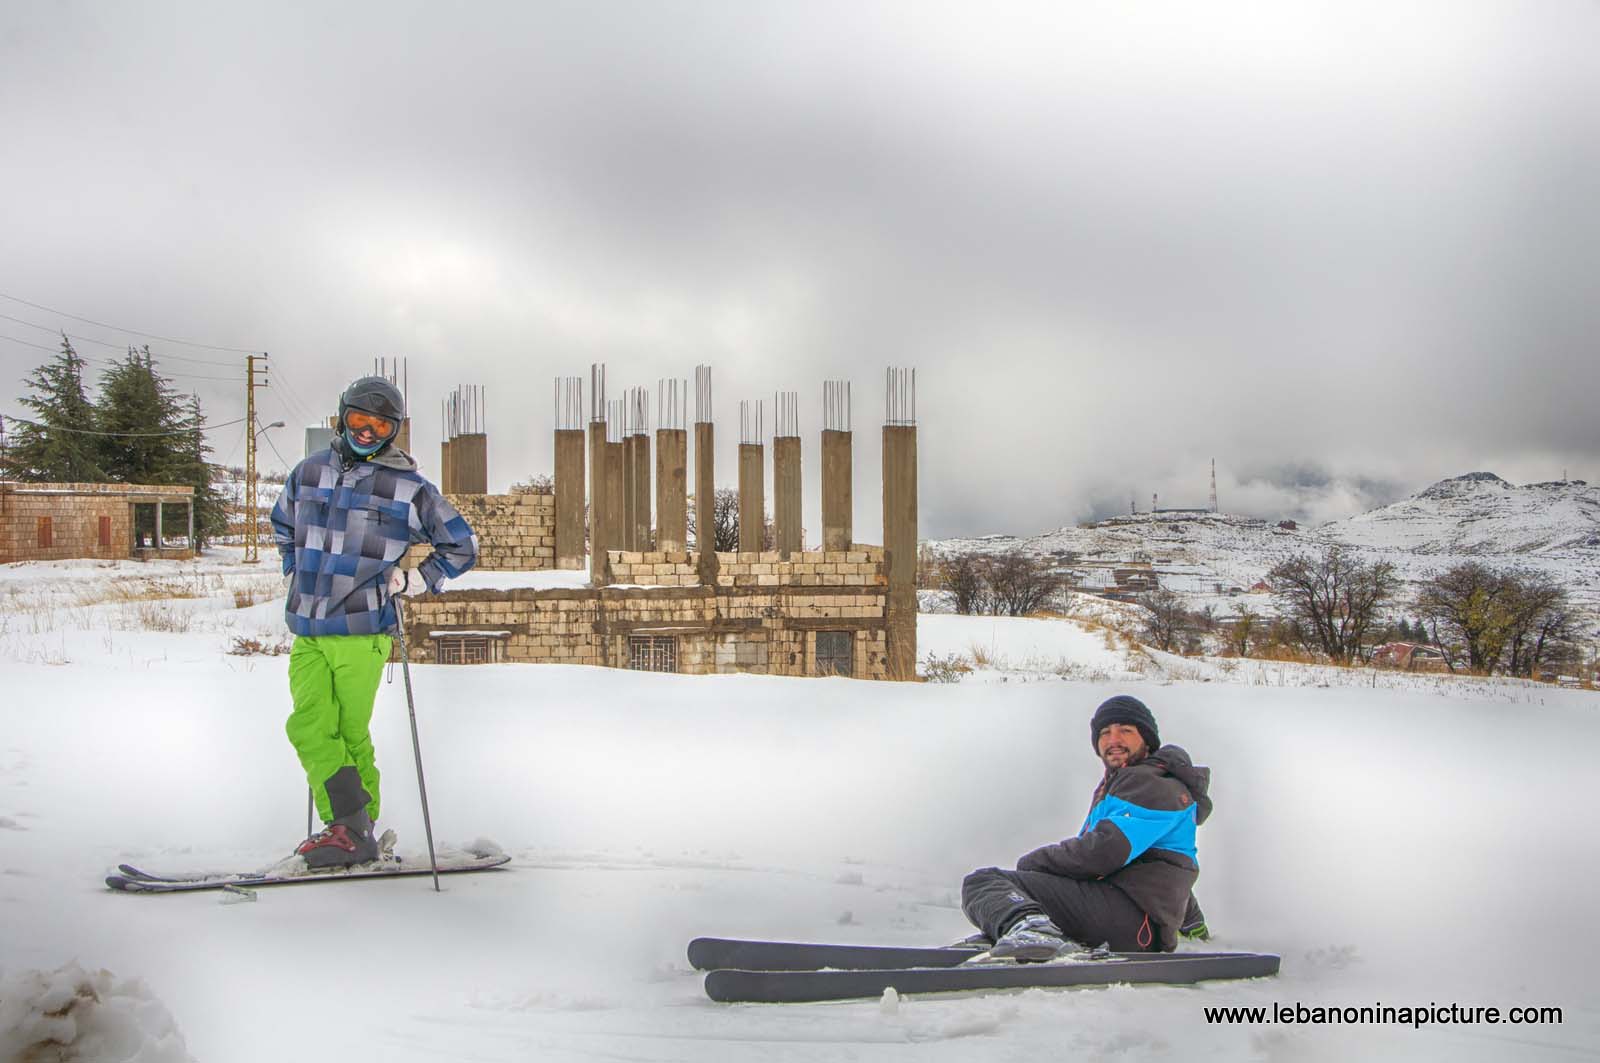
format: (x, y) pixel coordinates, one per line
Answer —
(105, 521)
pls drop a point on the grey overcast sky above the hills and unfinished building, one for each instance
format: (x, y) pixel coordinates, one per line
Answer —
(1343, 249)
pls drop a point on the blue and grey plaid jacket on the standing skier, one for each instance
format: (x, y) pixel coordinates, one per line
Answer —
(343, 529)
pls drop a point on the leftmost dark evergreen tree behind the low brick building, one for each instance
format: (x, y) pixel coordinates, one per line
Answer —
(57, 447)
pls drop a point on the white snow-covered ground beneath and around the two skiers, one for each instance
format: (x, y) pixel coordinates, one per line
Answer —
(1428, 843)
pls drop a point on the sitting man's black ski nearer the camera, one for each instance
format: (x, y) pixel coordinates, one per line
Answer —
(796, 987)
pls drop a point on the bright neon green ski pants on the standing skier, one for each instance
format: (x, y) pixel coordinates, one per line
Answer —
(334, 681)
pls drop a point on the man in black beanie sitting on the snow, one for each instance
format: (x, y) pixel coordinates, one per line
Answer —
(1126, 880)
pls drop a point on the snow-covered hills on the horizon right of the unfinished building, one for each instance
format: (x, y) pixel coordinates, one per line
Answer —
(1543, 527)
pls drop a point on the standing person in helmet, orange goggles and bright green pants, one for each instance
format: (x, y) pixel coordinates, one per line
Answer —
(343, 523)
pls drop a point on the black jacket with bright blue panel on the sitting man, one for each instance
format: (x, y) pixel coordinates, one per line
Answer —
(1140, 836)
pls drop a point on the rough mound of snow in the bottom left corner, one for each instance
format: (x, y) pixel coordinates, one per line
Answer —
(71, 1016)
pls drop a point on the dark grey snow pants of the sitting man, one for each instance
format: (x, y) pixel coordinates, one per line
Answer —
(1089, 912)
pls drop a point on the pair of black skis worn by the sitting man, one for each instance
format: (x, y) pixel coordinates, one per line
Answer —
(793, 973)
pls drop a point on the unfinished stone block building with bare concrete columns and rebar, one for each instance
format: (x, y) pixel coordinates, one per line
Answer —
(846, 609)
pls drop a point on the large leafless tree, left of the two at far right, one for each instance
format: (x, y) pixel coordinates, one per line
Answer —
(1335, 600)
